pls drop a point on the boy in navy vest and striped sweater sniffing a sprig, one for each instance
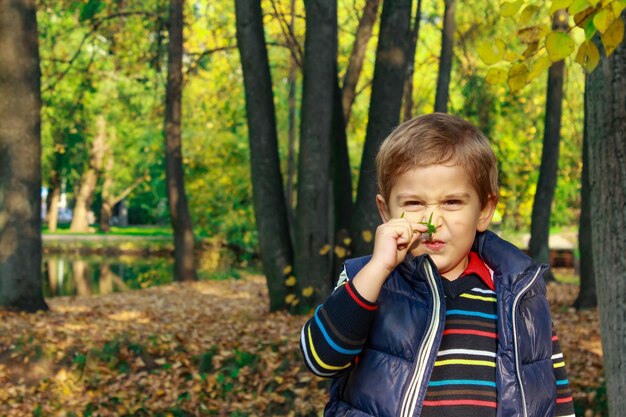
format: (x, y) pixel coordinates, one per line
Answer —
(444, 319)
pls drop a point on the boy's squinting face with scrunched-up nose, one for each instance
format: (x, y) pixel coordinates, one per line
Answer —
(447, 193)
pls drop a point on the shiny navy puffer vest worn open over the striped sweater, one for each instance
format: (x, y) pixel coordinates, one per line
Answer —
(395, 365)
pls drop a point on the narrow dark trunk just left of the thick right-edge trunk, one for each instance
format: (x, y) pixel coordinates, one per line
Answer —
(587, 296)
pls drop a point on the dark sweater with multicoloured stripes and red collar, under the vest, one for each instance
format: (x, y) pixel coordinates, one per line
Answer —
(462, 383)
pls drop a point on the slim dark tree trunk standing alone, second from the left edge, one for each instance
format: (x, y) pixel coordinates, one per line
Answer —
(184, 241)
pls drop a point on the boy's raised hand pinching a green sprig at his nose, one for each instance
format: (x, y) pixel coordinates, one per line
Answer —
(393, 240)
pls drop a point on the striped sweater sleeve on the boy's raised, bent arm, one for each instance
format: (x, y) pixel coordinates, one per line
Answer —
(331, 340)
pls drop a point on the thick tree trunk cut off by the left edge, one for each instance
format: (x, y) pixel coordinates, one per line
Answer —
(20, 158)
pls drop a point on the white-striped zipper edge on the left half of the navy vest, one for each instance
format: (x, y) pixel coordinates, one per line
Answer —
(409, 402)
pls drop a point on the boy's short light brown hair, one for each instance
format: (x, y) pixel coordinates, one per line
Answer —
(438, 139)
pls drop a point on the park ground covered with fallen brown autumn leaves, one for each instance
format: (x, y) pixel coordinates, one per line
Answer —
(205, 348)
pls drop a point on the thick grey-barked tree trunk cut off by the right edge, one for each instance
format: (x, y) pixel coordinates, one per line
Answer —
(606, 129)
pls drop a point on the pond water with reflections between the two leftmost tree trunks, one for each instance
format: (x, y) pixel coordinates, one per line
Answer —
(80, 275)
